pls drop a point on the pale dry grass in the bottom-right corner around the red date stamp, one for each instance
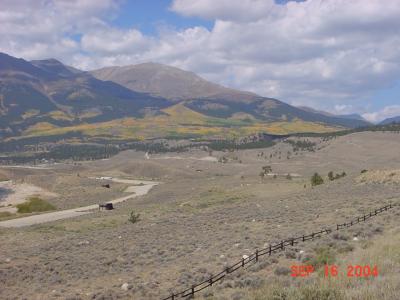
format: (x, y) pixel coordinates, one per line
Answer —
(383, 252)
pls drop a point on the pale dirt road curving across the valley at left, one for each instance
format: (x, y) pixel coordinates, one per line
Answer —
(139, 188)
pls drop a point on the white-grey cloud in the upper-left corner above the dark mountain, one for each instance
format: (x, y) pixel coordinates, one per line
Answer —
(42, 29)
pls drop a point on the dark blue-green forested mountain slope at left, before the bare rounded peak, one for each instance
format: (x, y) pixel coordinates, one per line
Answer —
(48, 91)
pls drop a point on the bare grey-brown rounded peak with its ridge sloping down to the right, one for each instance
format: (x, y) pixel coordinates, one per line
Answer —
(209, 98)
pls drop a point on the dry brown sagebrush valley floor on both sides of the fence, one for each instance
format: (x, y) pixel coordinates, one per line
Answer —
(206, 215)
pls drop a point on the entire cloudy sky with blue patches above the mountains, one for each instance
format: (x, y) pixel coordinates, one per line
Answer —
(335, 55)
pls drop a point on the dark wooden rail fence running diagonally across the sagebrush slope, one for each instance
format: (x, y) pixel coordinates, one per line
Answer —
(272, 248)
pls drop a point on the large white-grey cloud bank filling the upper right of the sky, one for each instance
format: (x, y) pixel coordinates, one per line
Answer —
(316, 52)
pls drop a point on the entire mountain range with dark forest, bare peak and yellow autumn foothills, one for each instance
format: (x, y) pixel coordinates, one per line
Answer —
(46, 97)
